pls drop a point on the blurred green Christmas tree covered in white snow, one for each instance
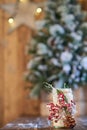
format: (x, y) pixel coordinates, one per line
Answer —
(59, 48)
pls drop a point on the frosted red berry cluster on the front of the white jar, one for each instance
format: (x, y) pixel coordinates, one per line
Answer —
(57, 110)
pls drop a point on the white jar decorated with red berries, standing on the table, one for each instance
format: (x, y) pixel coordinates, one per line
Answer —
(66, 112)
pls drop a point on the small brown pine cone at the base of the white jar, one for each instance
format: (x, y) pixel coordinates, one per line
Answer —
(69, 121)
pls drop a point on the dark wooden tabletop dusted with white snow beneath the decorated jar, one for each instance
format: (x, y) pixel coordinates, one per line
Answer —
(40, 123)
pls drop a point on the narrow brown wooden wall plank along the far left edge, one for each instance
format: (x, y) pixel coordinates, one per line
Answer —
(2, 45)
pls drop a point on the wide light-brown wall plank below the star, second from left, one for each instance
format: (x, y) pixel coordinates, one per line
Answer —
(12, 88)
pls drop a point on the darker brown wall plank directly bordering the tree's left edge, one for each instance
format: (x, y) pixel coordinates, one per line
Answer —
(24, 34)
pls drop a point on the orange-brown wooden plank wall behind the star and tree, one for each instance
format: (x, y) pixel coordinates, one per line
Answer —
(13, 101)
